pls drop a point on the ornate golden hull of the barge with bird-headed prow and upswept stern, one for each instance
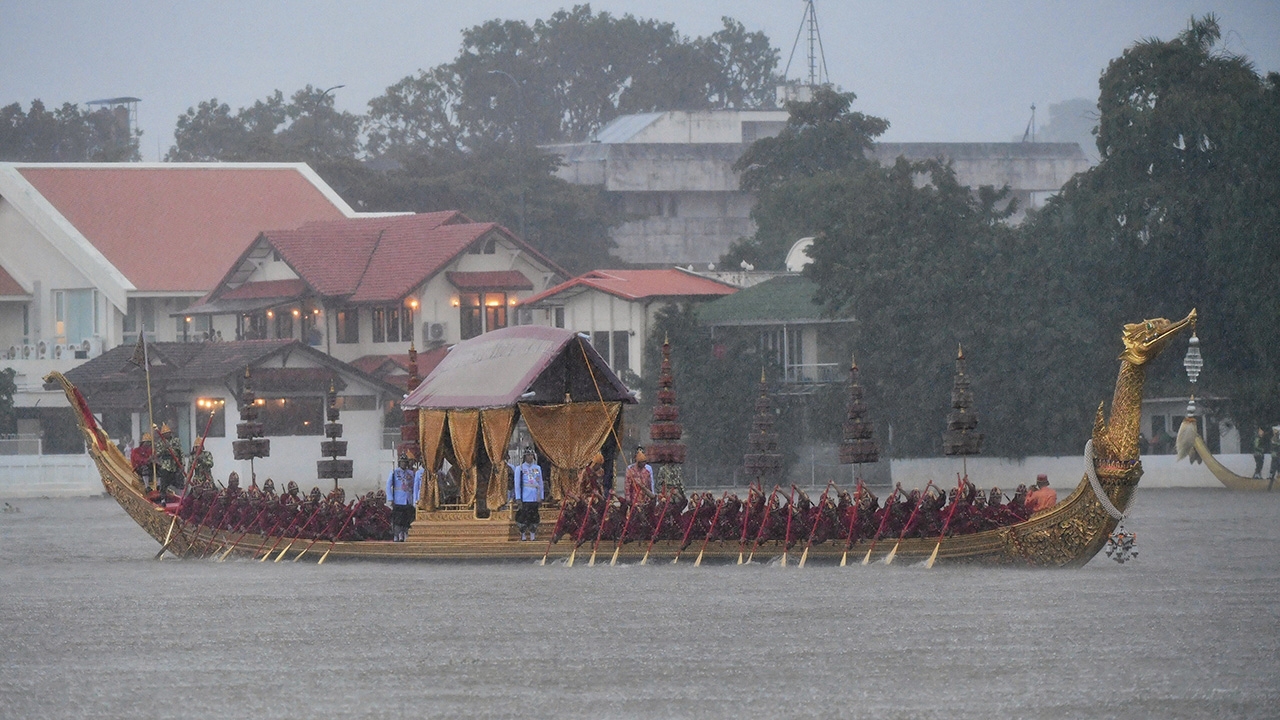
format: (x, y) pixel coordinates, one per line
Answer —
(1066, 536)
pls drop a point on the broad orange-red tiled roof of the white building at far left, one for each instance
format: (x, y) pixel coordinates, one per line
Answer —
(177, 229)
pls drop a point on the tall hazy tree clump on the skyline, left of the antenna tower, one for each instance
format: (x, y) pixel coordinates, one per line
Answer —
(565, 78)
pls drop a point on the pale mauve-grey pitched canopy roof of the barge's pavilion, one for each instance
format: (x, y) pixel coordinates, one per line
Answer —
(520, 364)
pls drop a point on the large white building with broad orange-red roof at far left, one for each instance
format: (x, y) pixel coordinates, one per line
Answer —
(102, 250)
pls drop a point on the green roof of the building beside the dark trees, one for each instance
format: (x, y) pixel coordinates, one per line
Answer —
(781, 300)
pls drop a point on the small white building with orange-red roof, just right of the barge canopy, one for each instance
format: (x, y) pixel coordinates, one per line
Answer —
(618, 308)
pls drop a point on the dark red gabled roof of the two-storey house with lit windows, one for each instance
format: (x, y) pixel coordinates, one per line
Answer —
(372, 259)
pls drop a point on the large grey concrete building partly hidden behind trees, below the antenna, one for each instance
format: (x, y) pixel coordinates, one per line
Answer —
(673, 174)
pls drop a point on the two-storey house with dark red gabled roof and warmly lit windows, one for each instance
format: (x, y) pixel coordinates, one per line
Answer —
(368, 288)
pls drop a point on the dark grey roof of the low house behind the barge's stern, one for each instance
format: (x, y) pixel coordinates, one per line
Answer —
(184, 366)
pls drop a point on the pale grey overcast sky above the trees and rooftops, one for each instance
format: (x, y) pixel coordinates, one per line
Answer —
(939, 71)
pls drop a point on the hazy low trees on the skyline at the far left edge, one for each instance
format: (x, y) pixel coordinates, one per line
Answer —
(66, 135)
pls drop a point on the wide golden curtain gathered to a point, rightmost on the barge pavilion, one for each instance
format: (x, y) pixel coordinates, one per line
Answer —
(570, 435)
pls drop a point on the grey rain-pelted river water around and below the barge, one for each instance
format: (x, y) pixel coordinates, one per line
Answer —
(94, 628)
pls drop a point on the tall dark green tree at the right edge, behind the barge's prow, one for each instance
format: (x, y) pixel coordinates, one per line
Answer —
(1183, 211)
